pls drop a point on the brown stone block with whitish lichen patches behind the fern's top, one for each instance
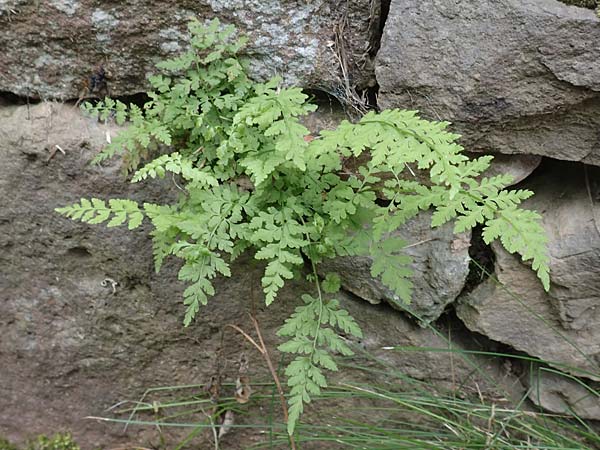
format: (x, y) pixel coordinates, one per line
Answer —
(51, 48)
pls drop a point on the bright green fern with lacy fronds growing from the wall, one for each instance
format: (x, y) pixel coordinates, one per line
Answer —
(253, 183)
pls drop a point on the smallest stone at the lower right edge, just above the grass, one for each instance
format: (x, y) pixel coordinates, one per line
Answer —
(561, 395)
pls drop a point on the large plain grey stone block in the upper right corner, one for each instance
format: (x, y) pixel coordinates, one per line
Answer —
(514, 76)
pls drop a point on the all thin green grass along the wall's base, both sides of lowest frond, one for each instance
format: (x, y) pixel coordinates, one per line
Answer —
(400, 413)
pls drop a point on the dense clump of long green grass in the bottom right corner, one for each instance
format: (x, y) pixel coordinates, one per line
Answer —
(428, 417)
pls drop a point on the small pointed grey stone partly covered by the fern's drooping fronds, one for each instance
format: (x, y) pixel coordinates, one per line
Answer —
(440, 268)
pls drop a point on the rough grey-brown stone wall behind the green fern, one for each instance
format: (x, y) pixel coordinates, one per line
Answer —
(519, 78)
